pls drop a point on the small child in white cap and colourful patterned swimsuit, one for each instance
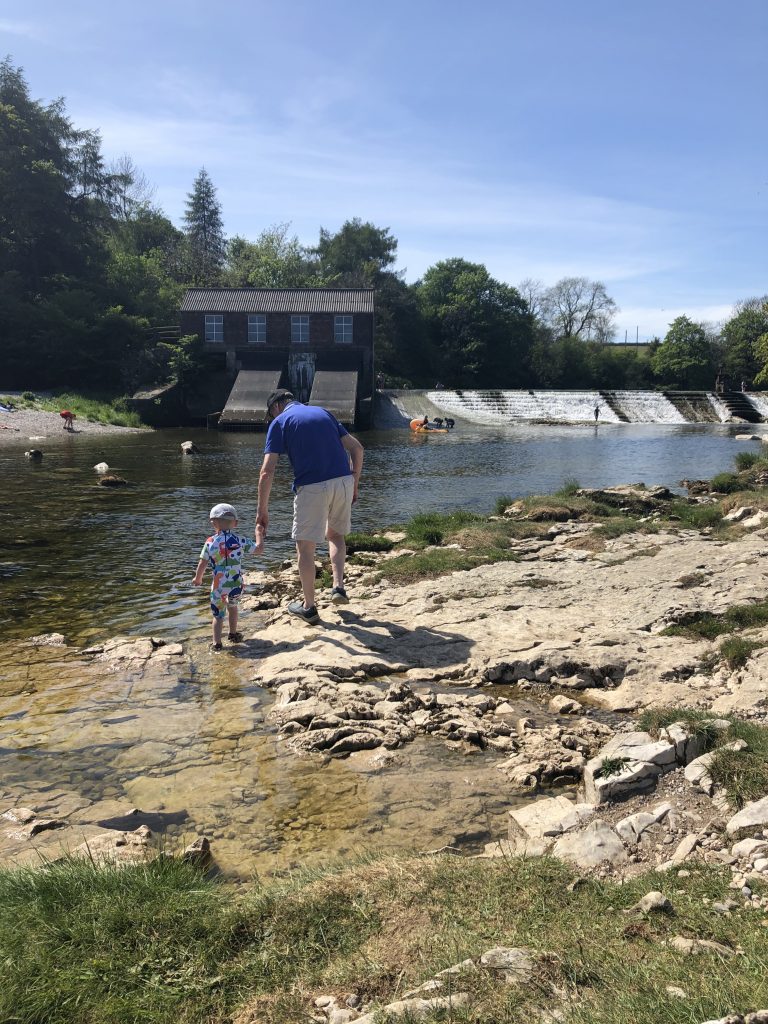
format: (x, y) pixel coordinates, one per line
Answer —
(224, 552)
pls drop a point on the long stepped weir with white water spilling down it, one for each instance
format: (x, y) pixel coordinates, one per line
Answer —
(397, 408)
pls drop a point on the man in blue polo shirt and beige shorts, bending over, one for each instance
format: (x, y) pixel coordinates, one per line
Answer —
(327, 463)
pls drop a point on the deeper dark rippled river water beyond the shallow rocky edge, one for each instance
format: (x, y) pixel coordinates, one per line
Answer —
(92, 562)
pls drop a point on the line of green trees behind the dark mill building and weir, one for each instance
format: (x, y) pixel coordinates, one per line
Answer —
(91, 268)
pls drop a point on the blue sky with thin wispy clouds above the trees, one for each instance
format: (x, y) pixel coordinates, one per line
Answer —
(623, 143)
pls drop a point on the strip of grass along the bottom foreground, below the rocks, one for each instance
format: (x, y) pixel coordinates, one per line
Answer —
(159, 945)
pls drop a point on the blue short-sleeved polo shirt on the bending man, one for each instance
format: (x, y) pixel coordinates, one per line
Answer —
(312, 440)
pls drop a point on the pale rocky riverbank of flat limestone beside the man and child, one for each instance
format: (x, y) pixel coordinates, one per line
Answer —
(578, 628)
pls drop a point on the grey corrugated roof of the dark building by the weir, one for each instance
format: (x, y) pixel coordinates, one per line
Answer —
(279, 301)
